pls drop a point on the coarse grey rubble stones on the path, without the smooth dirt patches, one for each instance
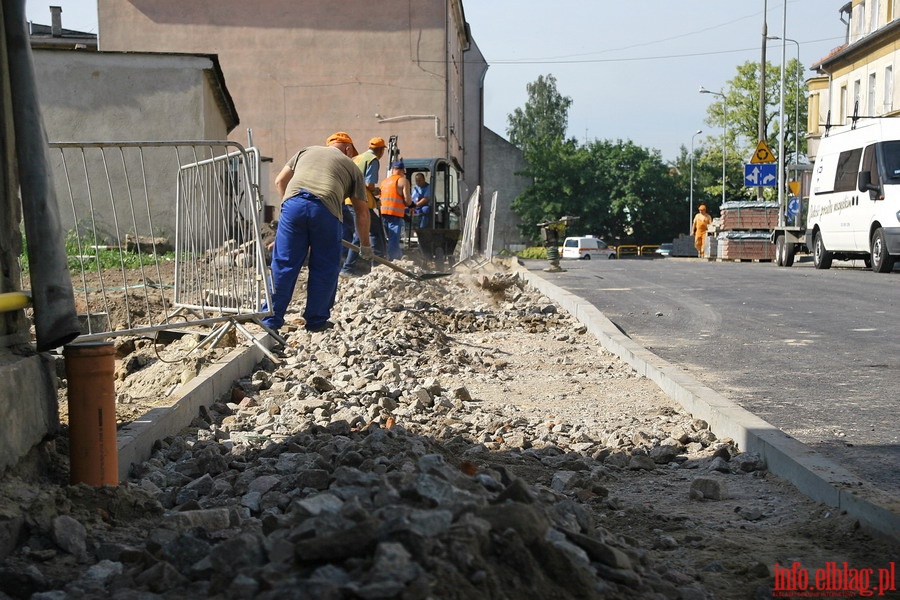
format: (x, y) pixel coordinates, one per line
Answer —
(360, 467)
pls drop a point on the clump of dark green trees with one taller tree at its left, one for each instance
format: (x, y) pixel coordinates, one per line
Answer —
(618, 190)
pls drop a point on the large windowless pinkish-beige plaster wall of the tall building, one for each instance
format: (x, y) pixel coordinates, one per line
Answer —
(301, 69)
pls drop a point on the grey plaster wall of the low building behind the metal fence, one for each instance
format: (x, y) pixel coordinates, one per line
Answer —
(116, 96)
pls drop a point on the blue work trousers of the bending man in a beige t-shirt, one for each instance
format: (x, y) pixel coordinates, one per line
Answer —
(306, 227)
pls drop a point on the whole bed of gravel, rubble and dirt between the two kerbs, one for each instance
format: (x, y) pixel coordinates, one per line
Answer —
(457, 439)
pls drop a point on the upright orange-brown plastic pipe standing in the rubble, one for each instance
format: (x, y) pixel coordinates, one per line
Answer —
(93, 454)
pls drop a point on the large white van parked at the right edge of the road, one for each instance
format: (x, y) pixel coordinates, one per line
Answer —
(854, 200)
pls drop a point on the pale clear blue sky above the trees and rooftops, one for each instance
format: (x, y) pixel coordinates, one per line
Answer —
(631, 68)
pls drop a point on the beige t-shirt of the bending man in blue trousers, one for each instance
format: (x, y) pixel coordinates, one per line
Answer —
(328, 173)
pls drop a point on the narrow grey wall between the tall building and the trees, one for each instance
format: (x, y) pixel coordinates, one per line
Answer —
(502, 162)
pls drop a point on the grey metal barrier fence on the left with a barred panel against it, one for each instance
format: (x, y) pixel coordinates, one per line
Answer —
(162, 235)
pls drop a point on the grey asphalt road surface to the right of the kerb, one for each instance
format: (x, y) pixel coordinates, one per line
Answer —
(814, 353)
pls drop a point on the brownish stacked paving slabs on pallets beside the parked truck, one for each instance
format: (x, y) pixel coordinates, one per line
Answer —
(744, 231)
